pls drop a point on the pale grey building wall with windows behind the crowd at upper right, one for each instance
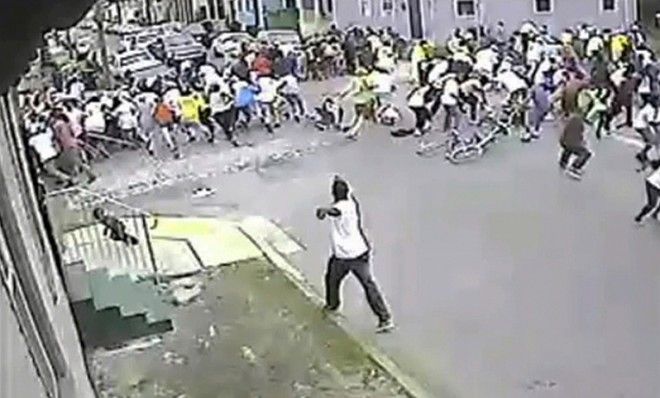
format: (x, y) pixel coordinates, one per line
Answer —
(440, 18)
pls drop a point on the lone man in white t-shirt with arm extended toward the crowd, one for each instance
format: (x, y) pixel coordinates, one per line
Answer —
(350, 253)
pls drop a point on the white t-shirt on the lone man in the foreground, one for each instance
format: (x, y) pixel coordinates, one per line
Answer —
(348, 241)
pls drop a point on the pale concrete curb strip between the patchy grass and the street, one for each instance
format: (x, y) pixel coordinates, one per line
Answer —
(409, 385)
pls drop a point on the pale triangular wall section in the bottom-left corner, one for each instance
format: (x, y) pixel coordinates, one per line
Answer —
(18, 374)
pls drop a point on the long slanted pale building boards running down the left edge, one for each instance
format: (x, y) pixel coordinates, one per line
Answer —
(29, 263)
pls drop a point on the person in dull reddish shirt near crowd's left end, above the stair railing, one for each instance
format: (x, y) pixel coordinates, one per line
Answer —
(71, 152)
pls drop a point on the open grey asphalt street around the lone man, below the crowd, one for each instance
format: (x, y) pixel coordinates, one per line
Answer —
(506, 278)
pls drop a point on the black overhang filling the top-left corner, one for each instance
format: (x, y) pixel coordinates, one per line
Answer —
(22, 24)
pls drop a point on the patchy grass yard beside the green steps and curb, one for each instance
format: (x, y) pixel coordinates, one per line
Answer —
(249, 334)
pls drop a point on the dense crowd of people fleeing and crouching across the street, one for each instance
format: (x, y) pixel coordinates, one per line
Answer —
(584, 77)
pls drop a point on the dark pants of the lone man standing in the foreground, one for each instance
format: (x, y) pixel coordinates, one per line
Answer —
(337, 271)
